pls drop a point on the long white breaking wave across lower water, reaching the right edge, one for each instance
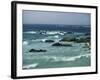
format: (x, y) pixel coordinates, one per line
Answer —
(59, 58)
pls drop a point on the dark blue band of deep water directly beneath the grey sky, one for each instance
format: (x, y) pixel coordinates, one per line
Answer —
(50, 27)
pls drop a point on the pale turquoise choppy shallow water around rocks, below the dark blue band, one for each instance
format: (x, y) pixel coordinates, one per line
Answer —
(56, 56)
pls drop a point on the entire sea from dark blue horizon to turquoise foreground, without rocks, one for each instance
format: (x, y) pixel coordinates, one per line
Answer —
(76, 55)
